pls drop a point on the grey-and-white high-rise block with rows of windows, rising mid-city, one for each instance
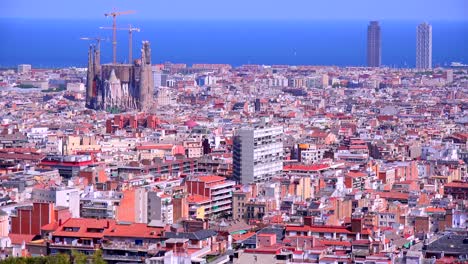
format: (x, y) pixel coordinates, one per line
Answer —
(257, 153)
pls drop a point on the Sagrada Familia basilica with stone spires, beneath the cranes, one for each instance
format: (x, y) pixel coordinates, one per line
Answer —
(121, 87)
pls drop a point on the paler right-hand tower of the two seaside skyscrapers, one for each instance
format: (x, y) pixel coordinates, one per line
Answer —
(424, 46)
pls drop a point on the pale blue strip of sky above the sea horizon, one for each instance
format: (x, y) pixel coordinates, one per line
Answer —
(428, 10)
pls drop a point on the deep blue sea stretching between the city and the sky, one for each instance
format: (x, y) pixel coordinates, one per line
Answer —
(56, 43)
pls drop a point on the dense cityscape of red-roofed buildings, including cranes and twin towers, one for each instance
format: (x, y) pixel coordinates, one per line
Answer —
(212, 163)
